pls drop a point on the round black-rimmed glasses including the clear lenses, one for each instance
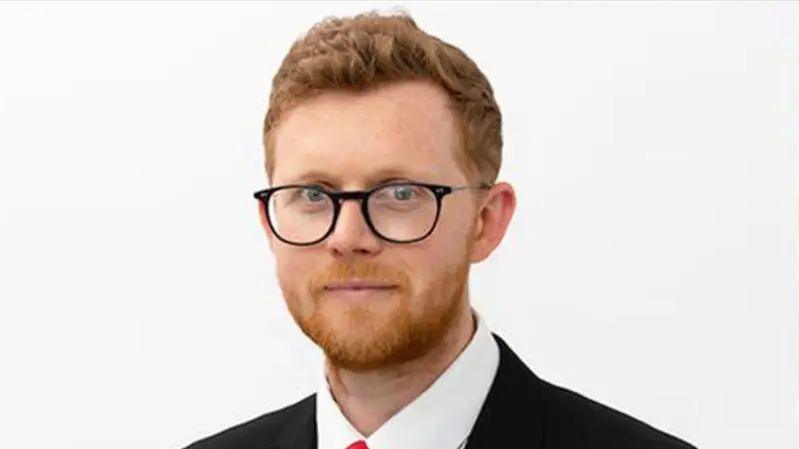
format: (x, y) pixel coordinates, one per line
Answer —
(305, 214)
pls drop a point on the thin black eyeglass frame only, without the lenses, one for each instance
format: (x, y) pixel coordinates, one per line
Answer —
(439, 191)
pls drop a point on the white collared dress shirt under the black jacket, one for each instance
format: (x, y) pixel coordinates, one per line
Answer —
(440, 418)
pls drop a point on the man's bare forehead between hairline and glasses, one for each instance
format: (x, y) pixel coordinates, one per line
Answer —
(401, 129)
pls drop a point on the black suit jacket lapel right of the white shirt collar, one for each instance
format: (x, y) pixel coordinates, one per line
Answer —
(511, 413)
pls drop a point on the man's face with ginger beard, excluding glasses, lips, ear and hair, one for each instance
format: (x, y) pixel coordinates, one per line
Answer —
(354, 141)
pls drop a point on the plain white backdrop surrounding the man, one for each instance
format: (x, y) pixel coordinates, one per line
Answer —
(651, 263)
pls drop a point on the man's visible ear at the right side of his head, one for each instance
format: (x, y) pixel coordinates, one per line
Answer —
(493, 216)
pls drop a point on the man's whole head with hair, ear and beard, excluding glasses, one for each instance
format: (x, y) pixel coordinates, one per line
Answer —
(364, 101)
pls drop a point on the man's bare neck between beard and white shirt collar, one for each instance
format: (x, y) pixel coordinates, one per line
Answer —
(369, 398)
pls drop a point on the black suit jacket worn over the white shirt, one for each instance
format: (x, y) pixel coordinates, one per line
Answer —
(520, 411)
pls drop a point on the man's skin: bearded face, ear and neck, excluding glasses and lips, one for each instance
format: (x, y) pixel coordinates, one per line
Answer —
(383, 349)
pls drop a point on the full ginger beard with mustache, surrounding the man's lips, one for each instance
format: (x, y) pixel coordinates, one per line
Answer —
(366, 335)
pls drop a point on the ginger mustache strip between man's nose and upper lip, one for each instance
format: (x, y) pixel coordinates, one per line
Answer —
(364, 270)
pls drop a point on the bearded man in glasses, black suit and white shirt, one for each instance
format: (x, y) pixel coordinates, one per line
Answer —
(383, 146)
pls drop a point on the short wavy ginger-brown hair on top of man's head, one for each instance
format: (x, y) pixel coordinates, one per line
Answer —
(369, 49)
